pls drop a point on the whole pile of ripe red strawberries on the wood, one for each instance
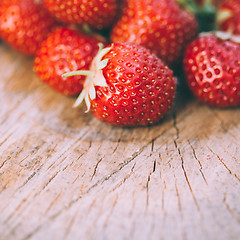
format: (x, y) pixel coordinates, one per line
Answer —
(122, 56)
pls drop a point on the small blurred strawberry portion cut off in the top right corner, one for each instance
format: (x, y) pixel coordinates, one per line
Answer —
(228, 16)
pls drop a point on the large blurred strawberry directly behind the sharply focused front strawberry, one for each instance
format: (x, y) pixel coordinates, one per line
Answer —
(162, 26)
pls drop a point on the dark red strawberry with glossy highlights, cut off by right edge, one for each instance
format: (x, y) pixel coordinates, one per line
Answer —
(212, 69)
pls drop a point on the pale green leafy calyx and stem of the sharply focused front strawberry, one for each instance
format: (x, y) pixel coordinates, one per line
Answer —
(94, 77)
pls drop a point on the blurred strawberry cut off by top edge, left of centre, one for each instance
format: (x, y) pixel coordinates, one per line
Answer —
(95, 13)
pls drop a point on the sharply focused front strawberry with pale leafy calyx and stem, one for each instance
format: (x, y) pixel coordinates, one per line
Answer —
(128, 86)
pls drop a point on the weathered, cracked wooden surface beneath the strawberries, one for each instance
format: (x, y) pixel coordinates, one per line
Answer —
(66, 175)
